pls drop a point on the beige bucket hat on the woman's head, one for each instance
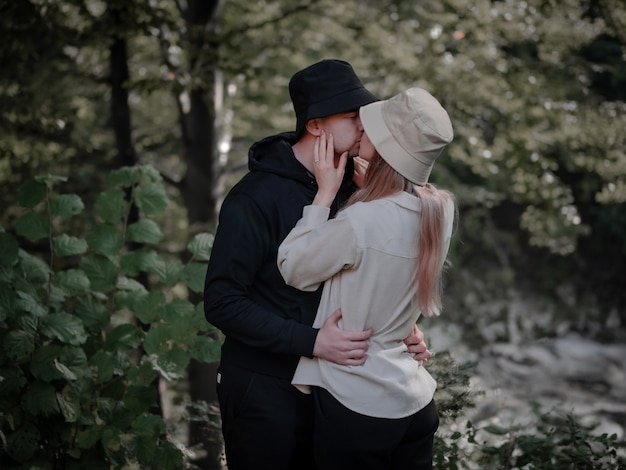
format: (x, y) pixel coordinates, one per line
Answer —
(409, 132)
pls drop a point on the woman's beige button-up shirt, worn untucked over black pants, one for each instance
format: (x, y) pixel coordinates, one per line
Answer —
(367, 255)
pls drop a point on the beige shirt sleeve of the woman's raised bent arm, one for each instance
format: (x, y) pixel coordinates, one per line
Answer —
(317, 248)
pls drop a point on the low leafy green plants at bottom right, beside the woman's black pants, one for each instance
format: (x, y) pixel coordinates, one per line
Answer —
(555, 442)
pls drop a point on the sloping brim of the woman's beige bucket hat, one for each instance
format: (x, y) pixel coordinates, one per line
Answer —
(389, 149)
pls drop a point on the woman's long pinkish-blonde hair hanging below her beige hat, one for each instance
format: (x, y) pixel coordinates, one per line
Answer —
(380, 181)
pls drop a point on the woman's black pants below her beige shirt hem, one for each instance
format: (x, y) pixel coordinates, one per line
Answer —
(347, 440)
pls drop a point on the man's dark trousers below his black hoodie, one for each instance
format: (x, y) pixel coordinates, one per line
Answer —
(266, 422)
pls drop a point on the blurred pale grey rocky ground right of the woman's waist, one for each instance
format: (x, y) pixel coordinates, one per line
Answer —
(568, 374)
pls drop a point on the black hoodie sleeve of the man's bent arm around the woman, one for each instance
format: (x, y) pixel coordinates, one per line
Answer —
(240, 252)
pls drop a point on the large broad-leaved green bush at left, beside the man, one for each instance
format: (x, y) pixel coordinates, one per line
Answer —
(83, 340)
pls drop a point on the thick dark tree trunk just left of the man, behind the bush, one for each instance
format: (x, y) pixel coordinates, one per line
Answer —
(198, 191)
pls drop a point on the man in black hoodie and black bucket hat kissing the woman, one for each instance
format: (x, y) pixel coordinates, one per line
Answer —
(266, 422)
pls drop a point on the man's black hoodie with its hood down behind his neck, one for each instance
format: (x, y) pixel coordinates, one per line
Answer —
(267, 324)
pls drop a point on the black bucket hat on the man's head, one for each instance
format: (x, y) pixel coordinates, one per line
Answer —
(326, 88)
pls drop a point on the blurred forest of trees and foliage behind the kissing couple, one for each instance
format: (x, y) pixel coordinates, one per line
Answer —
(536, 91)
